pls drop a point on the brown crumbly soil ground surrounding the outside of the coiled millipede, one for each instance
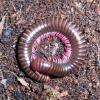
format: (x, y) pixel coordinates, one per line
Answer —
(81, 85)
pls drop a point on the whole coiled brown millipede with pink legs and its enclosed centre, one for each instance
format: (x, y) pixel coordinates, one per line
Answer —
(51, 47)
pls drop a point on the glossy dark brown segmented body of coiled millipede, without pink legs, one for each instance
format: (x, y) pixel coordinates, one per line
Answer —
(39, 68)
